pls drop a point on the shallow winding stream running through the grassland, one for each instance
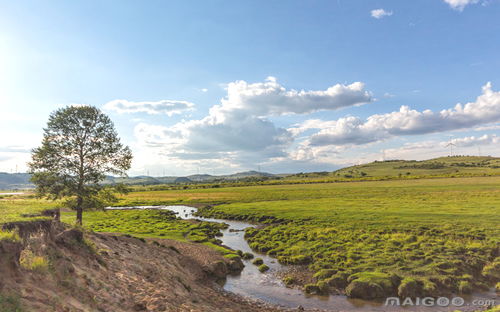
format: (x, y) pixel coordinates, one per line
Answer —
(267, 287)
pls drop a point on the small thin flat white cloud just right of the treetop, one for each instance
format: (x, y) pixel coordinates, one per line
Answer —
(166, 107)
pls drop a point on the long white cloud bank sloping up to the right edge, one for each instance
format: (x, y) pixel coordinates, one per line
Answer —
(354, 130)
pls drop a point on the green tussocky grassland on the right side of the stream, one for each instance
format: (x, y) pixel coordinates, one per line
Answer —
(430, 236)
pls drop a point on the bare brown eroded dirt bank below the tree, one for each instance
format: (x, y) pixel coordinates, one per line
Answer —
(59, 269)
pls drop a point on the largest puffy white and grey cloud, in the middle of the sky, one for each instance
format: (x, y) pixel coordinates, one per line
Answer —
(239, 126)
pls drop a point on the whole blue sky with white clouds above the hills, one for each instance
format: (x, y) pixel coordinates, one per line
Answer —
(282, 86)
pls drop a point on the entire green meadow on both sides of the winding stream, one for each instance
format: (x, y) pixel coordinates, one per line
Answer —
(367, 239)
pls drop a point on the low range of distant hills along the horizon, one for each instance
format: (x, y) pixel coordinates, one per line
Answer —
(443, 166)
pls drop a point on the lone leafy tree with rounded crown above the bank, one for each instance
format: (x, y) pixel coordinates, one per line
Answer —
(80, 146)
